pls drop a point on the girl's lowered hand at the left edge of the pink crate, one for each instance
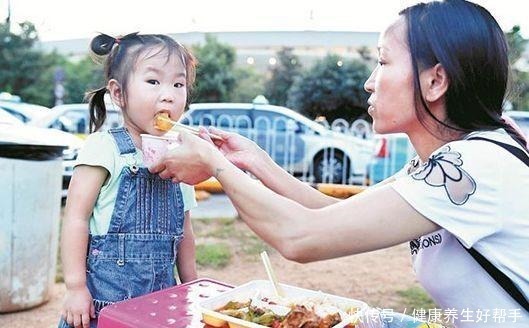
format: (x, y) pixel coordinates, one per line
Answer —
(78, 307)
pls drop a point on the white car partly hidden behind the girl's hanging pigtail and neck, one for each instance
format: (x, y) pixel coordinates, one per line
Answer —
(75, 118)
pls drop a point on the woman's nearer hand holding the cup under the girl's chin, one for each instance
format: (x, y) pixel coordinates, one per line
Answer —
(190, 162)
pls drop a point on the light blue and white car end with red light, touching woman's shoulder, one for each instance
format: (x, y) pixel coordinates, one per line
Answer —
(392, 152)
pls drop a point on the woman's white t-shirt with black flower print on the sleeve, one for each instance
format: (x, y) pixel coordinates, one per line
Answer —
(478, 193)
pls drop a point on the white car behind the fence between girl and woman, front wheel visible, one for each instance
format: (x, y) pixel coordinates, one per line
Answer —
(300, 145)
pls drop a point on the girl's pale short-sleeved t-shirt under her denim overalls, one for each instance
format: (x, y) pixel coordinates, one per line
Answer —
(100, 149)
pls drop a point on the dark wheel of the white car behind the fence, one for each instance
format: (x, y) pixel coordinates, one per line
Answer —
(331, 167)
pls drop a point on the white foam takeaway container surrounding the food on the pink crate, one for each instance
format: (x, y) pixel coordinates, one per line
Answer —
(244, 292)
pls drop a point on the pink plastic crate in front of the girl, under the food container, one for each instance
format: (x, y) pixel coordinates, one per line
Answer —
(171, 307)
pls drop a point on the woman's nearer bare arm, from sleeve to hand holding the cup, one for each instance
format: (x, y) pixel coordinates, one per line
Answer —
(372, 220)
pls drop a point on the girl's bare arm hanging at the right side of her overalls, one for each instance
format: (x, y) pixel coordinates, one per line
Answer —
(186, 261)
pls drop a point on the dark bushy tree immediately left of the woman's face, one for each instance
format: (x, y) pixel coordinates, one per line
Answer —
(333, 88)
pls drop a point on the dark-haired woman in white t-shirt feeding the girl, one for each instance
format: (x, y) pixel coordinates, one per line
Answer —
(441, 79)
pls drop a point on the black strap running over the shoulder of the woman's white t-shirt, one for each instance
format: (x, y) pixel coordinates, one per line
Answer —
(501, 278)
